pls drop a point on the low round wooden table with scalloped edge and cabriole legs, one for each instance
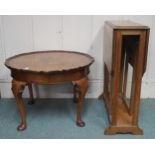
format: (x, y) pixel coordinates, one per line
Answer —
(47, 67)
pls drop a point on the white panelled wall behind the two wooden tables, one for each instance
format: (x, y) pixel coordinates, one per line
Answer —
(82, 33)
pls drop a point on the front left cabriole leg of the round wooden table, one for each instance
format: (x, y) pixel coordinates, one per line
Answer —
(17, 89)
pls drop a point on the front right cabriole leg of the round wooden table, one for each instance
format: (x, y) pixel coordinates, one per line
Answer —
(82, 86)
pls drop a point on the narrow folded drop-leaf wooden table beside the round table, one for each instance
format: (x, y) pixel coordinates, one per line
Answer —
(126, 46)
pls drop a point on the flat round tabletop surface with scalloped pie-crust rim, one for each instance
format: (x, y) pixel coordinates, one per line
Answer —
(49, 61)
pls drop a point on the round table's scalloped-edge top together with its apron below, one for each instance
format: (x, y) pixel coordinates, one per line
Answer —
(36, 66)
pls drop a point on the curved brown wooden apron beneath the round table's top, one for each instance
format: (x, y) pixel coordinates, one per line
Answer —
(46, 78)
